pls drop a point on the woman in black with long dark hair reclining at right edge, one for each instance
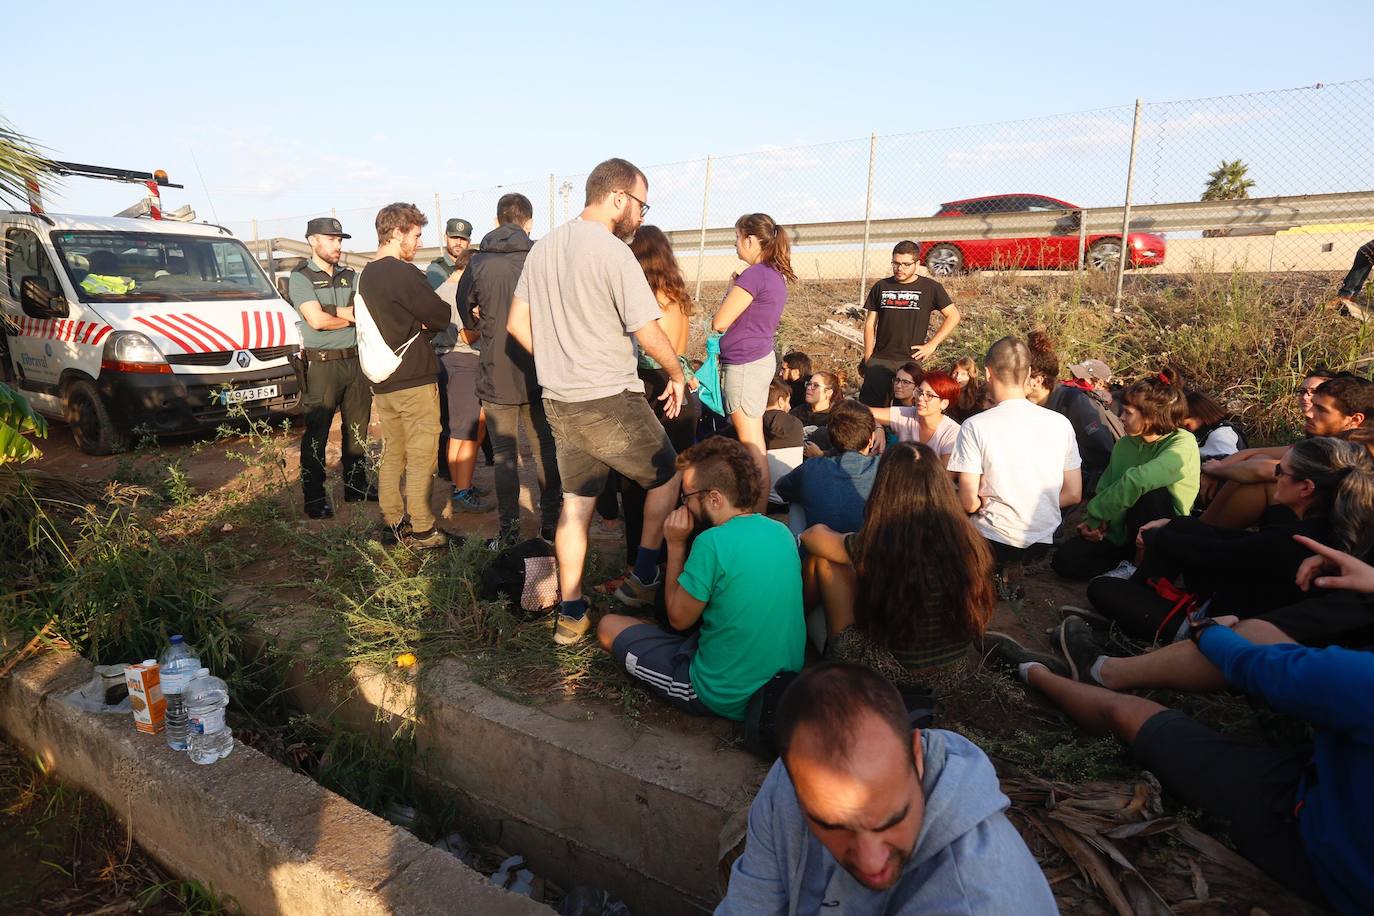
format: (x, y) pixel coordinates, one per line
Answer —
(1324, 491)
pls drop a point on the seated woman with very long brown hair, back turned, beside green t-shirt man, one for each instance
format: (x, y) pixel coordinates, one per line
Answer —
(912, 590)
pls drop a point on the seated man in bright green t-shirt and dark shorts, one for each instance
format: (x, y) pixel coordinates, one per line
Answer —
(741, 583)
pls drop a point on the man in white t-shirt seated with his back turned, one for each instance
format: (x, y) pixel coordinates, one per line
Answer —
(1017, 463)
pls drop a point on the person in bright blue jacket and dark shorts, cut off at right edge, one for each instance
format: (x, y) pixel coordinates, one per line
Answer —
(1300, 814)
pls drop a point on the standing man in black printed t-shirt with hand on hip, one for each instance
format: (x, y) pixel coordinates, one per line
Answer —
(898, 322)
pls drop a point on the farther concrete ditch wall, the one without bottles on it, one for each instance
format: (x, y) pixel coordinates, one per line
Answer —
(585, 796)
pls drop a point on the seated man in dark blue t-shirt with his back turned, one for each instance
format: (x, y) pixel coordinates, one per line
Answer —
(833, 490)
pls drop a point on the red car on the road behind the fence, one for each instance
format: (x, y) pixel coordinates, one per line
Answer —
(1056, 252)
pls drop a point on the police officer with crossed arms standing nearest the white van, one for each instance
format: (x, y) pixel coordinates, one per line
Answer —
(322, 292)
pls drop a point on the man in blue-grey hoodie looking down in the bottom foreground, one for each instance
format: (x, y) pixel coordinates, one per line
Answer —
(866, 816)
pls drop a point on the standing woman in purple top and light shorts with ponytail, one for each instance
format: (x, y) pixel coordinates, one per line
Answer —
(748, 321)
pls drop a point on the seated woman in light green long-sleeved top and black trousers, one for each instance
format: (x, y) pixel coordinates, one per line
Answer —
(1153, 474)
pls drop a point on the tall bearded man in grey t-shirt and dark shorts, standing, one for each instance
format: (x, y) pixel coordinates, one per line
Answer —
(581, 300)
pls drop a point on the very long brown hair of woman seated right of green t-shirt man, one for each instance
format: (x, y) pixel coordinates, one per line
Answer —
(919, 554)
